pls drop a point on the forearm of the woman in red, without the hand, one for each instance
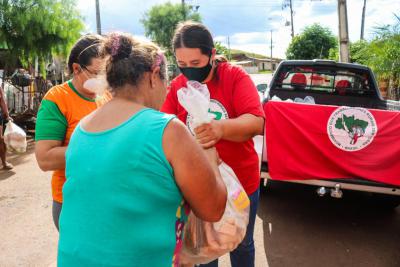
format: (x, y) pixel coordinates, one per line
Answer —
(242, 128)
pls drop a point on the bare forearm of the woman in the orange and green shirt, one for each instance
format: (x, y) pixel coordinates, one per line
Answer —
(53, 159)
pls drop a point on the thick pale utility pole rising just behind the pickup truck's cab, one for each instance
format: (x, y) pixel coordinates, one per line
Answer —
(343, 32)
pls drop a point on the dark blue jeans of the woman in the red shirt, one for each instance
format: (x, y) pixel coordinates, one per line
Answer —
(244, 254)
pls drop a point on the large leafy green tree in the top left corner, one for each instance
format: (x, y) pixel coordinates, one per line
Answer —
(32, 29)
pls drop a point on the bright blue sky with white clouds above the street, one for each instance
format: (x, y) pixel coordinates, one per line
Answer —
(248, 23)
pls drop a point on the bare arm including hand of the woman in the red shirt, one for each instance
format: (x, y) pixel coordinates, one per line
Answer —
(239, 129)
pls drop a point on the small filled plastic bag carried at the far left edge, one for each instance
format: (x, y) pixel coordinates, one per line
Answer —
(15, 138)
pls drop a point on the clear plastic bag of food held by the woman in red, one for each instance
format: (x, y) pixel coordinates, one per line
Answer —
(205, 241)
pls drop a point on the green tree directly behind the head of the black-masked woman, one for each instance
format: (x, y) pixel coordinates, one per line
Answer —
(161, 20)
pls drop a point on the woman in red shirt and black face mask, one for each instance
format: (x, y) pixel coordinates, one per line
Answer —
(237, 111)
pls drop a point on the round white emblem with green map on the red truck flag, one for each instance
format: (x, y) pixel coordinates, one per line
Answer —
(351, 129)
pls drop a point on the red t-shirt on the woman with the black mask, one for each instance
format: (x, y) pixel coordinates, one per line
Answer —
(232, 94)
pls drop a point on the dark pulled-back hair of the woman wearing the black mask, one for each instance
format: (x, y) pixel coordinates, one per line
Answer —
(191, 34)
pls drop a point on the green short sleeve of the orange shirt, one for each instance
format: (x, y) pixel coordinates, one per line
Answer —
(51, 124)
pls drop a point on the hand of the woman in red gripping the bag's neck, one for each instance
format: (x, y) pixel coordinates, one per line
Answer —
(208, 134)
